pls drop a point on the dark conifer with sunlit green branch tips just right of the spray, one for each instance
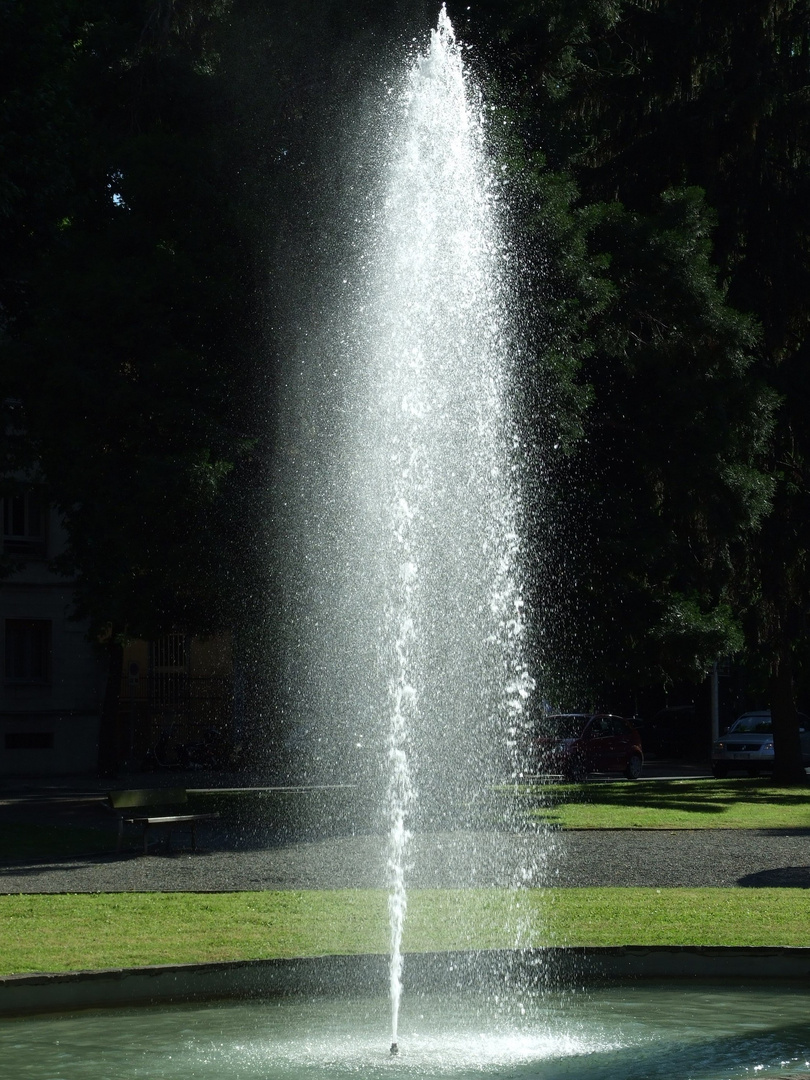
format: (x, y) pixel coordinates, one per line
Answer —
(642, 516)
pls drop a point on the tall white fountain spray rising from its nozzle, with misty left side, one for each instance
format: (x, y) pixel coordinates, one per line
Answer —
(398, 488)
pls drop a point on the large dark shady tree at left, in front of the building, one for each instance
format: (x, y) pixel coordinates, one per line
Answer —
(130, 290)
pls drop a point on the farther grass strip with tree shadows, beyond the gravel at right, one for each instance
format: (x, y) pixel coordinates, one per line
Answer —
(666, 804)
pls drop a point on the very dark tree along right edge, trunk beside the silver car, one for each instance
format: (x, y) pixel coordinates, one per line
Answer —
(678, 92)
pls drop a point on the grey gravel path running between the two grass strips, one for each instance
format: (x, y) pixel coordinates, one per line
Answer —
(726, 858)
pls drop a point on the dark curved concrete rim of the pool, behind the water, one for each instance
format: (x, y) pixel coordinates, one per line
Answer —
(369, 974)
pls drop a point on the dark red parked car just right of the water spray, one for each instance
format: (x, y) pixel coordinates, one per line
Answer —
(575, 745)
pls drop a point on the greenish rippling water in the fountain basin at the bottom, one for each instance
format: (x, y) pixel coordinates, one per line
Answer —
(644, 1030)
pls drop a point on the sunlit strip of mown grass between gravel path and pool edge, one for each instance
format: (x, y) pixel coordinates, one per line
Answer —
(110, 930)
